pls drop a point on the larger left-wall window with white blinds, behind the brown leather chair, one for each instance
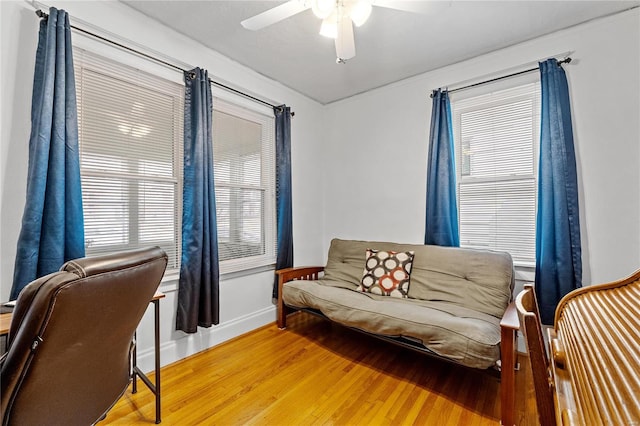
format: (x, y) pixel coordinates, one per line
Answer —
(130, 131)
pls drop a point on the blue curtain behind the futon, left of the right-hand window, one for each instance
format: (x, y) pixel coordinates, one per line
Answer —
(441, 227)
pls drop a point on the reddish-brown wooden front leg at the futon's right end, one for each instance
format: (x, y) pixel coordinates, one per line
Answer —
(508, 376)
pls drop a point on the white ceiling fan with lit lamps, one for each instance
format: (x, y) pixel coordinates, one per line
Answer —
(338, 18)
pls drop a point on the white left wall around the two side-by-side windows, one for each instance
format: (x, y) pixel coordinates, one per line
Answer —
(245, 299)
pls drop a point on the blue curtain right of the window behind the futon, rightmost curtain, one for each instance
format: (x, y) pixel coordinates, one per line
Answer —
(558, 250)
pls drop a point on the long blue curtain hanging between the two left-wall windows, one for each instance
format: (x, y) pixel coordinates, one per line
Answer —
(198, 290)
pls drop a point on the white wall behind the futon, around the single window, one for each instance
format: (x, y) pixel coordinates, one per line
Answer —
(376, 144)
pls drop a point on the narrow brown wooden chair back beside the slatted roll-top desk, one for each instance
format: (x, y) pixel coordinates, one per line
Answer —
(531, 327)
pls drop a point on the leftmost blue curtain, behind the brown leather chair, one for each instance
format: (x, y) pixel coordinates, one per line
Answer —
(52, 223)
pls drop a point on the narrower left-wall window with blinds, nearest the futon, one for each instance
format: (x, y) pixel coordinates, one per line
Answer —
(244, 173)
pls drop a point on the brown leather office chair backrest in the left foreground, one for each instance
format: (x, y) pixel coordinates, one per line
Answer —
(69, 343)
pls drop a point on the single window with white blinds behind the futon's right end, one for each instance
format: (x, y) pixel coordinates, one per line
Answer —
(496, 141)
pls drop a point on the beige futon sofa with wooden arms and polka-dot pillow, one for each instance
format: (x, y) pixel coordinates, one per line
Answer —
(450, 305)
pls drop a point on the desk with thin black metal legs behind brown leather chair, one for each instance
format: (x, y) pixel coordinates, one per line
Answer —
(5, 322)
